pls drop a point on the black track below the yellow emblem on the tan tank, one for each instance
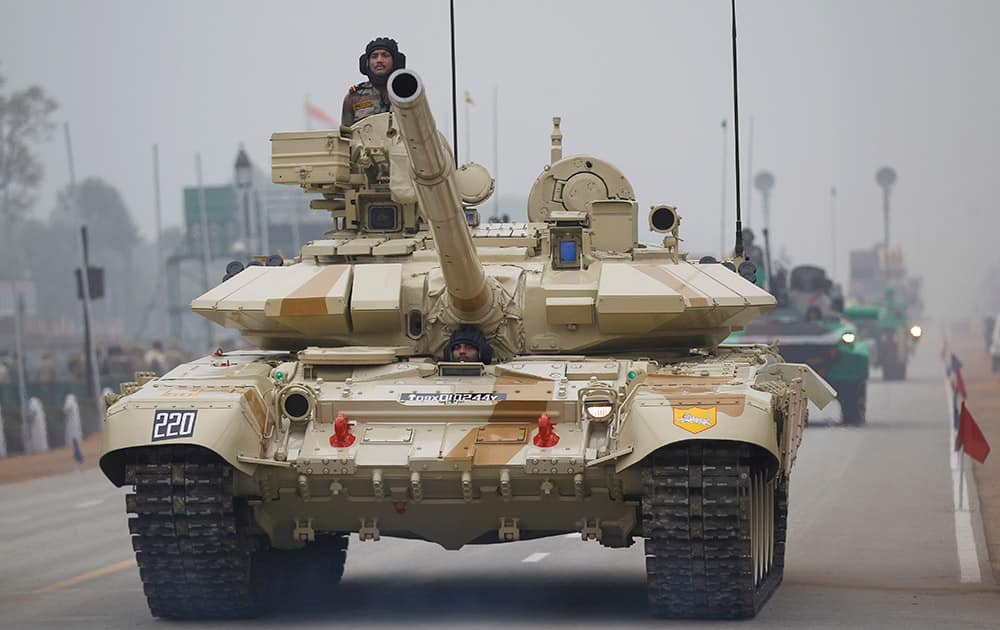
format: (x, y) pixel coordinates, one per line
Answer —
(714, 522)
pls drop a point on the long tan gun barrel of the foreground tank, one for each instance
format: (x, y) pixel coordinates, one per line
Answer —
(433, 173)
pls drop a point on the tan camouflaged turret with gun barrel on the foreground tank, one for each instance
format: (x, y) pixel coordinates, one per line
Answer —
(407, 263)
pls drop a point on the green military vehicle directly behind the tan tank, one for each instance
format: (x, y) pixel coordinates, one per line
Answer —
(808, 328)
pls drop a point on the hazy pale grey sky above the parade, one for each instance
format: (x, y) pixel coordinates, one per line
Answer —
(834, 89)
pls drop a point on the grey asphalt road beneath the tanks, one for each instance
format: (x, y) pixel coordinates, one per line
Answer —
(872, 544)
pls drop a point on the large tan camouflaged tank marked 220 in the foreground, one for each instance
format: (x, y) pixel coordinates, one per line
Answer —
(601, 402)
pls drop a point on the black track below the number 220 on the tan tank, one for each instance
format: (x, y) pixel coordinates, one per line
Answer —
(194, 558)
